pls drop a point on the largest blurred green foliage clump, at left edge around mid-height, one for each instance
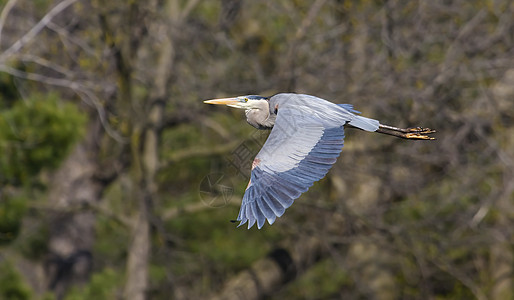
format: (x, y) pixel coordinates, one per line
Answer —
(36, 133)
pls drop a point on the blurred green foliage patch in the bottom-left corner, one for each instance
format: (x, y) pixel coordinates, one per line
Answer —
(12, 286)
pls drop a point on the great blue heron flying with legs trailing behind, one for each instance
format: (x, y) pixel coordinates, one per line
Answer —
(305, 140)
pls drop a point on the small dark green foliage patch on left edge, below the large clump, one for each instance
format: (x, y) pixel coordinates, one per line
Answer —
(11, 212)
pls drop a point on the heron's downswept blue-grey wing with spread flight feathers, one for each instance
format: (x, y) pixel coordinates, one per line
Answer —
(301, 149)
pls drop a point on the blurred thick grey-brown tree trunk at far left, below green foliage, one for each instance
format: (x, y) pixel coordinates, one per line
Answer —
(72, 233)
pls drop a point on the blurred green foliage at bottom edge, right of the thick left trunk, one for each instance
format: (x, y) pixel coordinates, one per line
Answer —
(104, 285)
